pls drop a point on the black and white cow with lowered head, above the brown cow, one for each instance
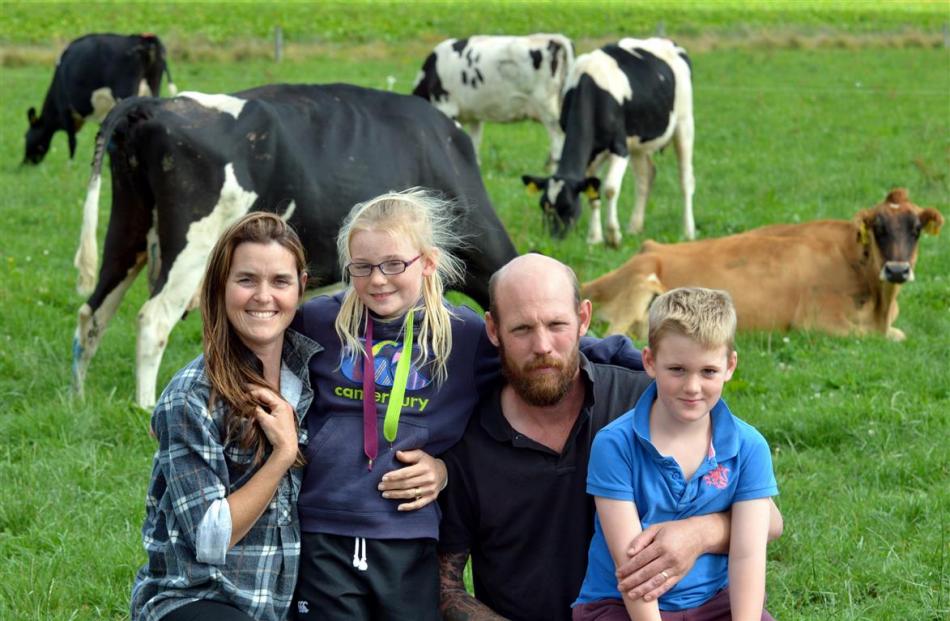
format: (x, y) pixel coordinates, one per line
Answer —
(622, 103)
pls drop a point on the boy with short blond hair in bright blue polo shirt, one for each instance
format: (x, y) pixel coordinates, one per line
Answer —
(680, 452)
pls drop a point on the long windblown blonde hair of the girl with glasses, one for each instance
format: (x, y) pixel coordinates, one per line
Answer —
(426, 221)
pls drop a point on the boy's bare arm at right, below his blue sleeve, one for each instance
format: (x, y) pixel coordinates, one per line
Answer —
(750, 525)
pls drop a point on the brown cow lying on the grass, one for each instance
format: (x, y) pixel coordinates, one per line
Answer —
(838, 276)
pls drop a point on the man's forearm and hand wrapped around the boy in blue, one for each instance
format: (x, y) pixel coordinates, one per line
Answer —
(674, 546)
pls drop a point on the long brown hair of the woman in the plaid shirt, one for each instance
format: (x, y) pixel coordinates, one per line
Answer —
(230, 365)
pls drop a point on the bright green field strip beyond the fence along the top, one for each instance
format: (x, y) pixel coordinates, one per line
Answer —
(224, 21)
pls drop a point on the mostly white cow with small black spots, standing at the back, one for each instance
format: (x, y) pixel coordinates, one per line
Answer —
(500, 79)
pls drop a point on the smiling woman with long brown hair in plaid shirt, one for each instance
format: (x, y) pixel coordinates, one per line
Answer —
(220, 530)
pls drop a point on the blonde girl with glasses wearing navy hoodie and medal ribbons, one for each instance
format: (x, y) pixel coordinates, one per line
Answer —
(401, 375)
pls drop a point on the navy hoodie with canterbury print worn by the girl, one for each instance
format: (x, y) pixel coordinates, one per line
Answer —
(339, 494)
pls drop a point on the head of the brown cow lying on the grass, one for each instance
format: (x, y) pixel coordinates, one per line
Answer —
(890, 232)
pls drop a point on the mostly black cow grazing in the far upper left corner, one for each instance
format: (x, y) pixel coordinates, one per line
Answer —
(92, 73)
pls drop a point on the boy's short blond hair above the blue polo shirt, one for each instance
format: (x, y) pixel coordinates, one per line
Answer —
(707, 316)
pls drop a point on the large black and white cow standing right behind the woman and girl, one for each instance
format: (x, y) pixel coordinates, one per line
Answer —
(183, 169)
